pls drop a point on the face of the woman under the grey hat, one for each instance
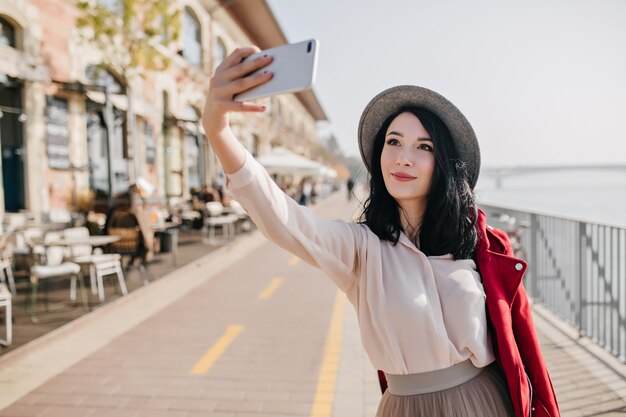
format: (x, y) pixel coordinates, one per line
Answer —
(407, 161)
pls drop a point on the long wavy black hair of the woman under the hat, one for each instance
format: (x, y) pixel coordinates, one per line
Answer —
(448, 225)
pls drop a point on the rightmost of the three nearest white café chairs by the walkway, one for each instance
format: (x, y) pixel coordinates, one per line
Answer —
(99, 264)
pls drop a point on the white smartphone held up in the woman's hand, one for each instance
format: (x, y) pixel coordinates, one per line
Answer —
(293, 68)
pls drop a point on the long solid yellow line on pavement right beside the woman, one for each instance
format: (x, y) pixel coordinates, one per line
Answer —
(327, 379)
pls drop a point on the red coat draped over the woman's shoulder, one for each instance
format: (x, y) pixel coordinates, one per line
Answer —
(512, 329)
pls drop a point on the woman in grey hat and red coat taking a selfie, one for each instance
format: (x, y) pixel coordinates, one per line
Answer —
(410, 267)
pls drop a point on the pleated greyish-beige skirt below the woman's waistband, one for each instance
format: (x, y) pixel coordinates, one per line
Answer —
(484, 395)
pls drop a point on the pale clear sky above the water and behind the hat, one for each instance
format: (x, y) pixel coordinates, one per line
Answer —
(542, 82)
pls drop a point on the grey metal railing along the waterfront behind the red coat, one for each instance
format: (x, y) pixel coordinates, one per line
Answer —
(577, 269)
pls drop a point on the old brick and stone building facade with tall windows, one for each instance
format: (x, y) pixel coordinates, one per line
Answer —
(70, 127)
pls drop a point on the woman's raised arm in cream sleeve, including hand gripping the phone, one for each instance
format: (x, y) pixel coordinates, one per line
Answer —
(334, 246)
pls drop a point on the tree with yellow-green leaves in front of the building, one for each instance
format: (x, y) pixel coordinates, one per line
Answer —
(133, 36)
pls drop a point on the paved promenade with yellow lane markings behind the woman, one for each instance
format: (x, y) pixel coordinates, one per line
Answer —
(248, 330)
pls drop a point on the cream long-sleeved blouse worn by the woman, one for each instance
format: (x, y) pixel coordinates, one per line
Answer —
(416, 313)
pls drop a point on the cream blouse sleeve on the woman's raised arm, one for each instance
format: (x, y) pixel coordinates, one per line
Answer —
(334, 246)
